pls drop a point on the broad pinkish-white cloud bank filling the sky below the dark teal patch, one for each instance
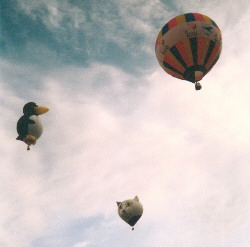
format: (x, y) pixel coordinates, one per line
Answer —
(110, 136)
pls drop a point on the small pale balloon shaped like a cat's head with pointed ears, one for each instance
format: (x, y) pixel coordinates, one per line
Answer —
(130, 211)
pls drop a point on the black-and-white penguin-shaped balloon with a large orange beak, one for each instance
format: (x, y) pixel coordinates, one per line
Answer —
(29, 126)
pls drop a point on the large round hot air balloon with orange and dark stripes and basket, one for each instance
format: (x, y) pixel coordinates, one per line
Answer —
(188, 46)
